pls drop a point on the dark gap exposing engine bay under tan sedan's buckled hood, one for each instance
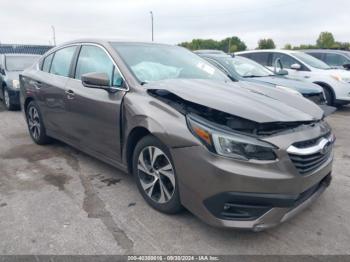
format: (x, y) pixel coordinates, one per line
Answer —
(224, 120)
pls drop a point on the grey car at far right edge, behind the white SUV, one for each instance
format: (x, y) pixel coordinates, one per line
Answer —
(334, 58)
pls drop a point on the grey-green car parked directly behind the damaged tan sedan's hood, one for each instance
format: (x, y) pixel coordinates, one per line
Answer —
(239, 68)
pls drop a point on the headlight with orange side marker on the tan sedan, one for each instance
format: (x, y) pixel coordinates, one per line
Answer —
(230, 144)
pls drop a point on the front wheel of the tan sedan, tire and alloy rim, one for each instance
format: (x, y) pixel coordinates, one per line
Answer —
(156, 182)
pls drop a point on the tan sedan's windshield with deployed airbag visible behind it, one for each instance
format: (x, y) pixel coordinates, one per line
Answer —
(150, 62)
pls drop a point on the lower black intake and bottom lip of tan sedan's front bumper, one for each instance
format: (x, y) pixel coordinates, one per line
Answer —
(266, 211)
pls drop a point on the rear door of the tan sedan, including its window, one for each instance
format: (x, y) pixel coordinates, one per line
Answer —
(50, 86)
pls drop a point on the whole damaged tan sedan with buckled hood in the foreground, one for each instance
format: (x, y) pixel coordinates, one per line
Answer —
(235, 154)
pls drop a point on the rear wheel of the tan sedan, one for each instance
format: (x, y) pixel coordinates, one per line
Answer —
(35, 123)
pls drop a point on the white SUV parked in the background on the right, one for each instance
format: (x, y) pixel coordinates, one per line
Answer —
(301, 66)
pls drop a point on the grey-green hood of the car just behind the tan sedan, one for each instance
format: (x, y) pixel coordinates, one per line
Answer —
(298, 85)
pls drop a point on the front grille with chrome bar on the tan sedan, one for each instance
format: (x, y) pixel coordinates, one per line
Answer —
(308, 159)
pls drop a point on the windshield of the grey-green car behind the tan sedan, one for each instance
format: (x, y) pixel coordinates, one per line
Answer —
(244, 67)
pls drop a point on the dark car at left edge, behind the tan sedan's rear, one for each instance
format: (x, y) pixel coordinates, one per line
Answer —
(11, 65)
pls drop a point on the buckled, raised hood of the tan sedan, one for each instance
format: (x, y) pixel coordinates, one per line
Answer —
(245, 100)
